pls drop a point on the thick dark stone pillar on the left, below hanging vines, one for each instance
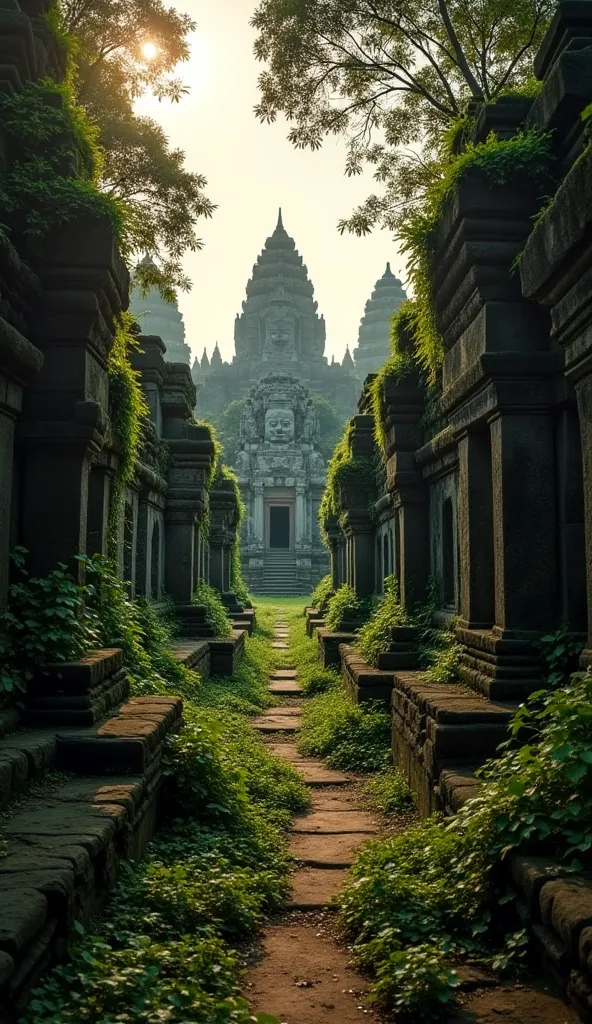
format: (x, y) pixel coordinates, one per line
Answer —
(65, 419)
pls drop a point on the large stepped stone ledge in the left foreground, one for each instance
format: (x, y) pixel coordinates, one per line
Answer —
(64, 850)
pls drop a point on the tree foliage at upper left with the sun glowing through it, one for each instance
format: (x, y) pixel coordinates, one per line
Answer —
(161, 199)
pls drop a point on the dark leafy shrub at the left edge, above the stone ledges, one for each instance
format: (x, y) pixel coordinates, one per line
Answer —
(45, 623)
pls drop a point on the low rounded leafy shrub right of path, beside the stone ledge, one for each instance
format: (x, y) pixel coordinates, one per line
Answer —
(350, 737)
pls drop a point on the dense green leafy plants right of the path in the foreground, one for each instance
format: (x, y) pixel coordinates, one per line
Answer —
(420, 903)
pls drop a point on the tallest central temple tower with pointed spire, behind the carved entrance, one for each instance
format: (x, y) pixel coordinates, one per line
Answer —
(279, 330)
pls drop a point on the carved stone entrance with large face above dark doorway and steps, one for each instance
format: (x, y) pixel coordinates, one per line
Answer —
(282, 478)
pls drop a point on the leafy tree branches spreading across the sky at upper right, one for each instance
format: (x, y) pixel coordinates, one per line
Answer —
(392, 77)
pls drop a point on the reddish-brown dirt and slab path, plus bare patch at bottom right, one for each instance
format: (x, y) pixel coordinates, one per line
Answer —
(305, 974)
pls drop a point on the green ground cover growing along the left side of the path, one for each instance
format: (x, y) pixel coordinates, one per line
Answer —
(163, 950)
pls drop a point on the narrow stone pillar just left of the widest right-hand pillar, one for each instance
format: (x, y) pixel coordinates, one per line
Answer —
(476, 532)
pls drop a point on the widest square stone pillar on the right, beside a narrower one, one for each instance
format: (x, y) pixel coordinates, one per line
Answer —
(525, 524)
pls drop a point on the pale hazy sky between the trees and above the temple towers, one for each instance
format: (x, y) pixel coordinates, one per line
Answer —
(252, 170)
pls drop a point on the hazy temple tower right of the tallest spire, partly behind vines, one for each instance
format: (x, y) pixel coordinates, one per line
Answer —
(373, 338)
